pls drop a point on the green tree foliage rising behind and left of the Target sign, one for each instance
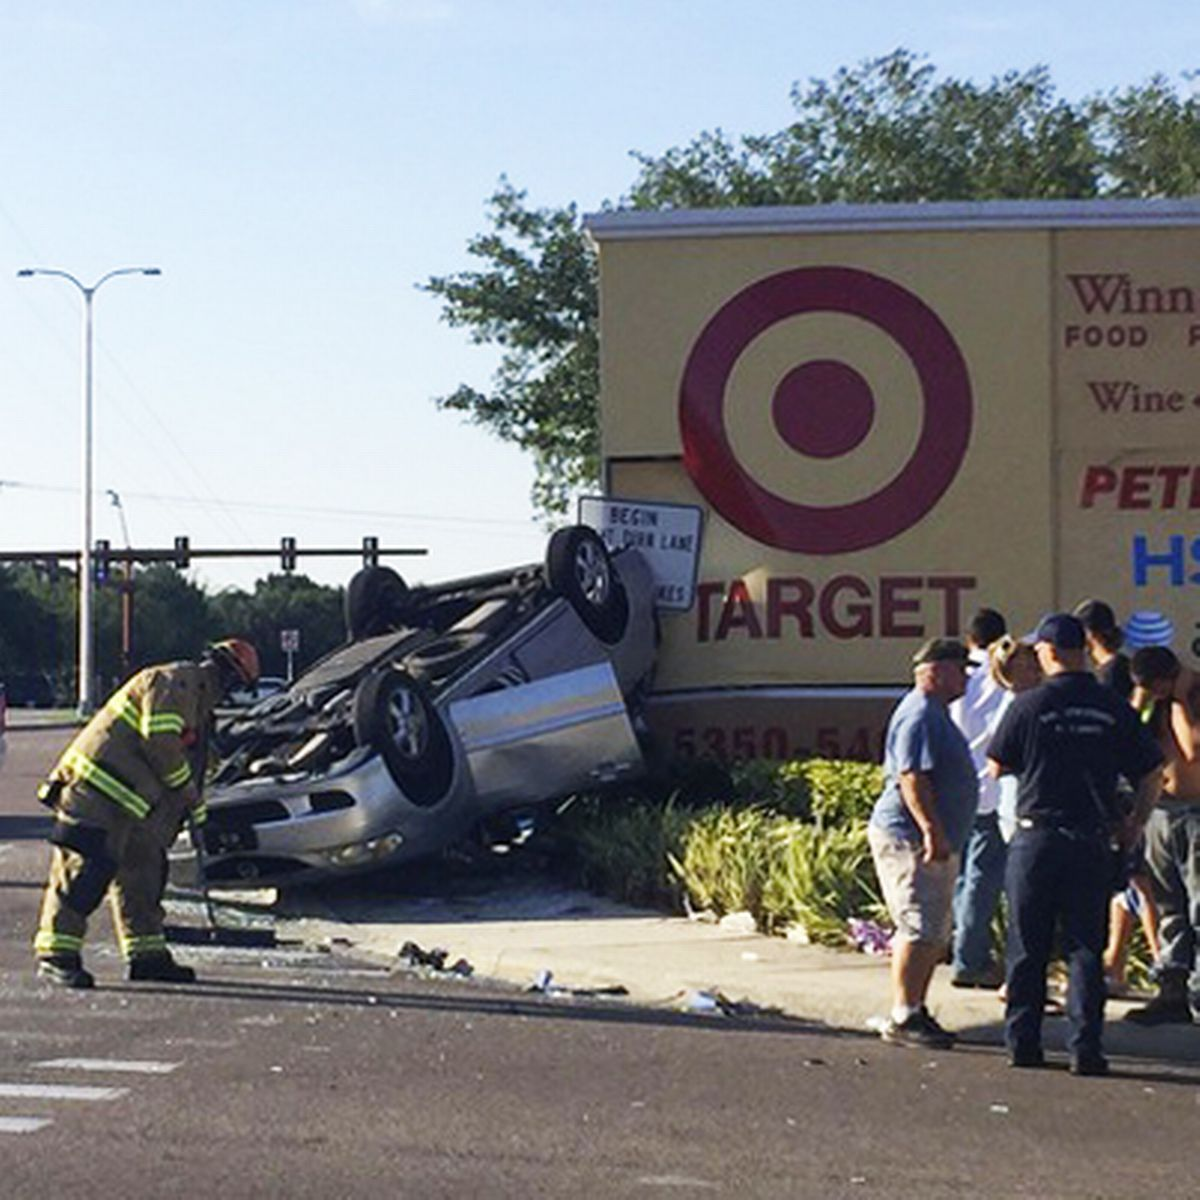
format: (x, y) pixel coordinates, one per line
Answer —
(890, 130)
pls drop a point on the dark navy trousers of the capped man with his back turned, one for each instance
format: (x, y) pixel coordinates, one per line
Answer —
(1057, 877)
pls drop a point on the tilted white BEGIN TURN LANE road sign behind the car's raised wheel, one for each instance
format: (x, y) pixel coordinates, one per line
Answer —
(668, 535)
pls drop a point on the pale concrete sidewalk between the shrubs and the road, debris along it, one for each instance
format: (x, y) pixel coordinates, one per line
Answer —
(523, 929)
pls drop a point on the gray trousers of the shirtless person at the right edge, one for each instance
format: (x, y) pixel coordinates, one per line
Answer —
(1173, 855)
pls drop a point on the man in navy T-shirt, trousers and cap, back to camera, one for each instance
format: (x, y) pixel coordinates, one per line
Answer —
(1069, 741)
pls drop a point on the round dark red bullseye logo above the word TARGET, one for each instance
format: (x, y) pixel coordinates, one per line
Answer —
(824, 409)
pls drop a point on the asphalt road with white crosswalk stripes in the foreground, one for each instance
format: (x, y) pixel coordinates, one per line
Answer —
(305, 1075)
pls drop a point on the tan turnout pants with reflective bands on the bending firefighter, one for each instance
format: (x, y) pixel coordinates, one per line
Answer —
(98, 849)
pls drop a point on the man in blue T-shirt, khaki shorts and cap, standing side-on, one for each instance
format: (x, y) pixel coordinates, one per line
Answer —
(917, 831)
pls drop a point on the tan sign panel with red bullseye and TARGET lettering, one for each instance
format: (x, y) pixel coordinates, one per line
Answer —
(866, 421)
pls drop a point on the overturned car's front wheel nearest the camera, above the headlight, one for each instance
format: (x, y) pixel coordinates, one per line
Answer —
(393, 716)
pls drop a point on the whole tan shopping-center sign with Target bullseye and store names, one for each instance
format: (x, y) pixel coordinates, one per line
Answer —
(892, 416)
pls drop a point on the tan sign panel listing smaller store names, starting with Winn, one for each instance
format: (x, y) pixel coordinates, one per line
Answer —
(1127, 398)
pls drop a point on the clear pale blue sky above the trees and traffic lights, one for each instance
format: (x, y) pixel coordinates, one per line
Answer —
(296, 167)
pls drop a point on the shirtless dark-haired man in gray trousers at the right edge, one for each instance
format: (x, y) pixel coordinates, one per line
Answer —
(1168, 697)
